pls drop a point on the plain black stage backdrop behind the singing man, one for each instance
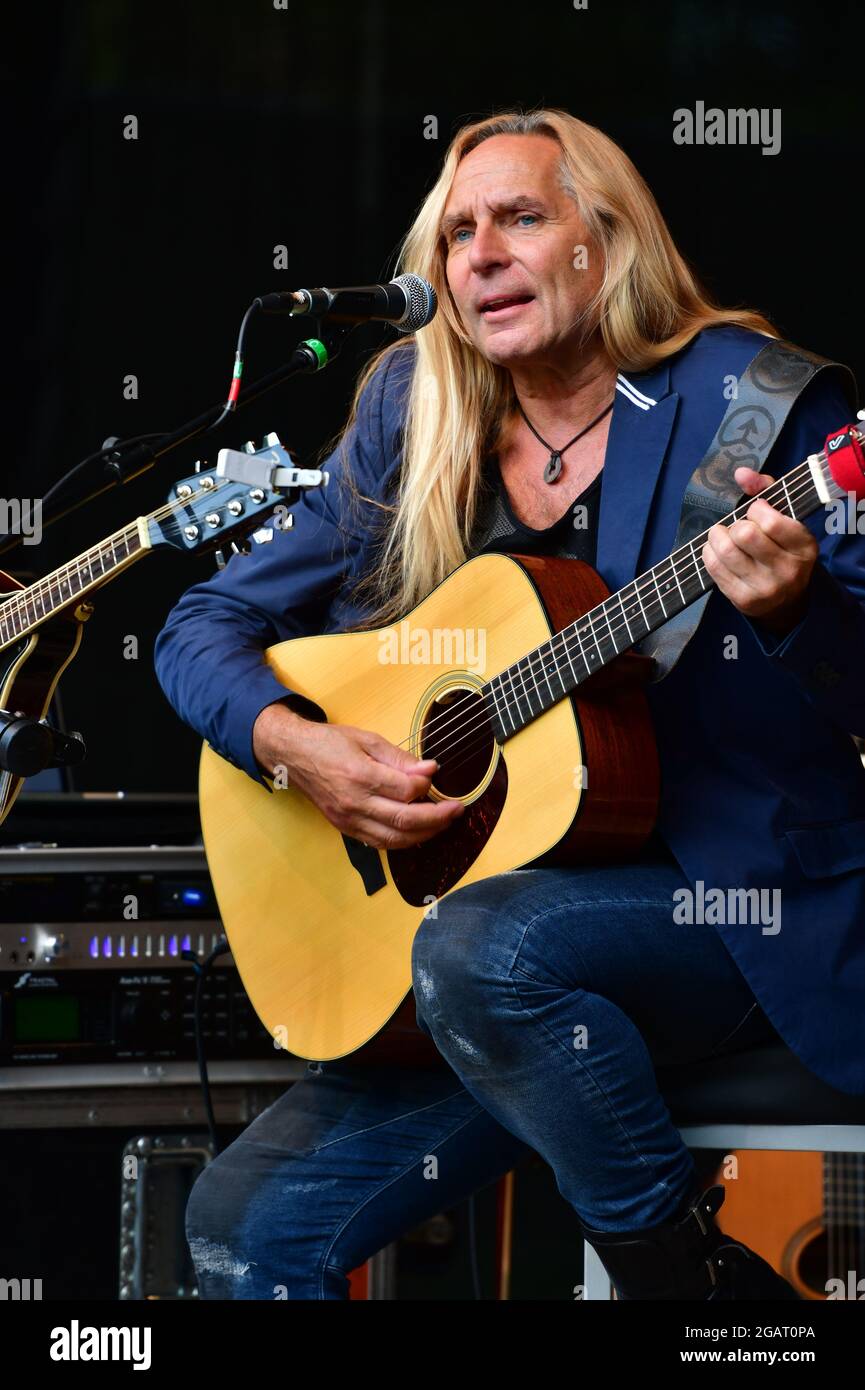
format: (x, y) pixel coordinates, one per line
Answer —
(305, 127)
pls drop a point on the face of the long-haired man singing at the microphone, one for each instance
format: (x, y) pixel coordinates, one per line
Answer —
(511, 233)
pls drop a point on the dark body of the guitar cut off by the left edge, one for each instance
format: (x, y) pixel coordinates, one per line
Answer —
(30, 671)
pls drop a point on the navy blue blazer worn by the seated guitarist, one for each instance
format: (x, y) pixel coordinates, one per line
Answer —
(763, 786)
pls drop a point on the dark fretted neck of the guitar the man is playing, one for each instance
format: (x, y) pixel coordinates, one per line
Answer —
(546, 676)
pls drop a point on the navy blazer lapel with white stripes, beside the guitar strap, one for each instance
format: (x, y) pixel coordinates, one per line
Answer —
(639, 436)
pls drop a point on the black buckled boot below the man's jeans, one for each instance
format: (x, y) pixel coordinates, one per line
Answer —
(688, 1259)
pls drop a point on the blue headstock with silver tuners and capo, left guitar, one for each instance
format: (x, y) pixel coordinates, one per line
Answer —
(208, 511)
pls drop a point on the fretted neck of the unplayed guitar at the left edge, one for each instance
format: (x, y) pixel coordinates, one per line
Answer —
(26, 610)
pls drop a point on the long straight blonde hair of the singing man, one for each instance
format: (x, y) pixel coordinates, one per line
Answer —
(647, 308)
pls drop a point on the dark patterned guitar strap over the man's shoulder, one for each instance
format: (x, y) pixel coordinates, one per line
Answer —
(766, 395)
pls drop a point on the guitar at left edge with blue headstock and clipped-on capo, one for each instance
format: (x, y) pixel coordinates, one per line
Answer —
(41, 626)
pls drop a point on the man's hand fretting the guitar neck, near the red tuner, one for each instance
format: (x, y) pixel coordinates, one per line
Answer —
(763, 562)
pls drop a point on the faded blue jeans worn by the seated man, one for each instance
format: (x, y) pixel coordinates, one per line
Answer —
(551, 995)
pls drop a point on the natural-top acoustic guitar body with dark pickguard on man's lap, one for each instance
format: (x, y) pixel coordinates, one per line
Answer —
(319, 926)
